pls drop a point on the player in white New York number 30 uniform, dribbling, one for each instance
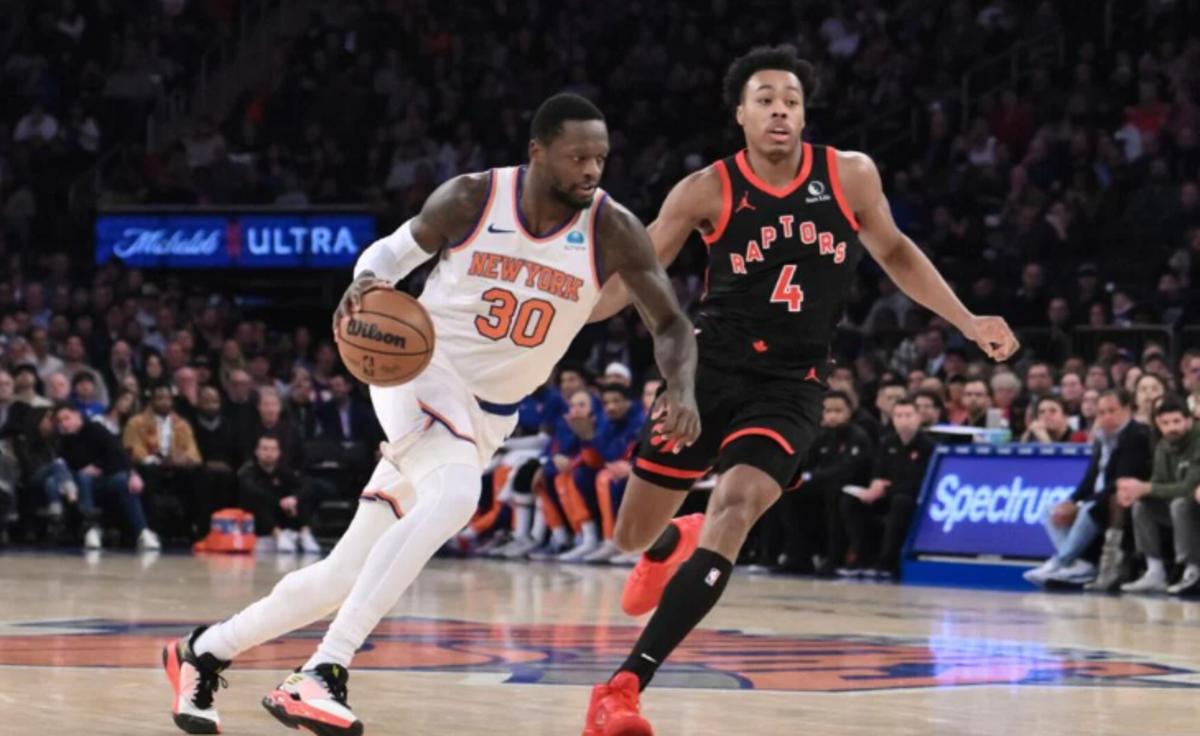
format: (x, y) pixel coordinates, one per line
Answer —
(523, 254)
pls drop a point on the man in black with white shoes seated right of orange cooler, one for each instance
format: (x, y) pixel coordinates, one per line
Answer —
(278, 499)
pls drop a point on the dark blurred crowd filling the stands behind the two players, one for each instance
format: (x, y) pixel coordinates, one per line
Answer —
(1046, 155)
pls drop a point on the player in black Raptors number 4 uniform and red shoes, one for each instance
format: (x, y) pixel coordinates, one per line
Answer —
(785, 224)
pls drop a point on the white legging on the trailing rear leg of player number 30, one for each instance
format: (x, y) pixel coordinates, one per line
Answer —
(304, 596)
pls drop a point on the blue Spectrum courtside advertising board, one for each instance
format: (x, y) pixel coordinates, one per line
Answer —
(991, 501)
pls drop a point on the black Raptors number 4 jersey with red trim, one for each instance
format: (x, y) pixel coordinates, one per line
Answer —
(781, 264)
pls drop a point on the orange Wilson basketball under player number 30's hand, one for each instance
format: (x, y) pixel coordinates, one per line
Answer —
(389, 342)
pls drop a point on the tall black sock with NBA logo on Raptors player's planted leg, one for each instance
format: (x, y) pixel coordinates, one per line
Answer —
(687, 600)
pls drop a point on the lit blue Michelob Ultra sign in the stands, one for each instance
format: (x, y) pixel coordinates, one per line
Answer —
(259, 240)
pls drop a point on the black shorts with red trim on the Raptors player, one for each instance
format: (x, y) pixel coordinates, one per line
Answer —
(764, 422)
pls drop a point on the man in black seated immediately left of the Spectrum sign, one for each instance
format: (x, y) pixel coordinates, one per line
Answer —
(891, 499)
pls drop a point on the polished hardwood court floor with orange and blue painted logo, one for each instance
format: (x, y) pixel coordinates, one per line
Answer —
(487, 648)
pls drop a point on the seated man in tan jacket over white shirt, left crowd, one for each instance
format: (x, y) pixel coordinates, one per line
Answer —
(165, 454)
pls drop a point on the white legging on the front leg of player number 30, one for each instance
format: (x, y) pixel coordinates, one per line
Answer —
(447, 500)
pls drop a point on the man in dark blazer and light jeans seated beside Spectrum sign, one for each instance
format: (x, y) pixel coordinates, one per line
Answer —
(1123, 450)
